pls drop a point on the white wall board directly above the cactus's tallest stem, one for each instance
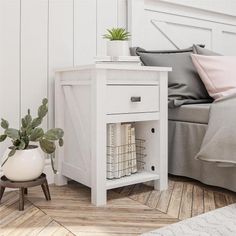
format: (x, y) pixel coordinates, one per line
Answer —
(33, 56)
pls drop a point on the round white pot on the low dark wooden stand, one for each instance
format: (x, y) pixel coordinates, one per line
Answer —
(25, 165)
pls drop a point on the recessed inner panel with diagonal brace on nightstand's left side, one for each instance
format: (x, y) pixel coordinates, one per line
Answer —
(78, 129)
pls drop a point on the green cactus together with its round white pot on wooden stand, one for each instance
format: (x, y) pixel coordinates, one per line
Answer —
(23, 161)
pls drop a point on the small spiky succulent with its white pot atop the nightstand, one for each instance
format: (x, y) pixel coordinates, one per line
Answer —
(118, 44)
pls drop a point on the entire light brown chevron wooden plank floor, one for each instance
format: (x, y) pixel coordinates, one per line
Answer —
(131, 210)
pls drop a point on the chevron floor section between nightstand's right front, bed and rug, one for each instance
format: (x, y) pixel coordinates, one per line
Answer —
(184, 198)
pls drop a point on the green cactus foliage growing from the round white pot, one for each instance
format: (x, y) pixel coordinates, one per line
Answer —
(30, 131)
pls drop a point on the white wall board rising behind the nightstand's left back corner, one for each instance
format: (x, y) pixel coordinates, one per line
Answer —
(60, 43)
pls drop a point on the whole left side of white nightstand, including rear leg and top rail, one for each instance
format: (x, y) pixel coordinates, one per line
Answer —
(73, 115)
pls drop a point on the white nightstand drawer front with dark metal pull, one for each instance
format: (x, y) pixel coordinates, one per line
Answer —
(132, 99)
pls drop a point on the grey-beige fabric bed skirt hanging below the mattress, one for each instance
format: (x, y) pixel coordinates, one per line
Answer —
(184, 142)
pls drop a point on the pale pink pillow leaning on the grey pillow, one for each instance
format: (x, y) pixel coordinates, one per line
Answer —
(218, 74)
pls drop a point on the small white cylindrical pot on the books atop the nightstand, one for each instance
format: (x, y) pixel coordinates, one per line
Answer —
(117, 48)
